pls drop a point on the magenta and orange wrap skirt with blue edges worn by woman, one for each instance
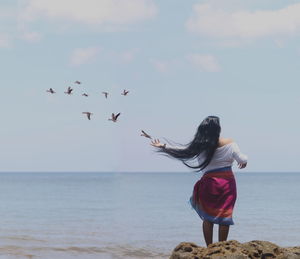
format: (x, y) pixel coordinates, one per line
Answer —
(214, 196)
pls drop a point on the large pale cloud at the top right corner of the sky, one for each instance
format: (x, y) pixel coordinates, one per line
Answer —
(243, 24)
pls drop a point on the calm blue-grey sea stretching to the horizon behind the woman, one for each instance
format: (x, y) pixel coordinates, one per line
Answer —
(134, 215)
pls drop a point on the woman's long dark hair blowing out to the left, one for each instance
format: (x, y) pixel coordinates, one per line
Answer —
(206, 141)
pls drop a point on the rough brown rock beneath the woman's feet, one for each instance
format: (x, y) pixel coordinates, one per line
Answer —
(235, 250)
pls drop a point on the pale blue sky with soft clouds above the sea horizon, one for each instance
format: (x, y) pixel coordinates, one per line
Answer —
(180, 60)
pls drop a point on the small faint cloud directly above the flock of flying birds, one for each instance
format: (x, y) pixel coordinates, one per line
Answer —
(84, 55)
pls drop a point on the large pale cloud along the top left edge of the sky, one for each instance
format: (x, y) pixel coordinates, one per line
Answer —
(98, 12)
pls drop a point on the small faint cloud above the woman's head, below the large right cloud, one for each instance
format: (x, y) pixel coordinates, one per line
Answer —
(207, 63)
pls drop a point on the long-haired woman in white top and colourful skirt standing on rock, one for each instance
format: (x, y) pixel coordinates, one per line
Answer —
(214, 194)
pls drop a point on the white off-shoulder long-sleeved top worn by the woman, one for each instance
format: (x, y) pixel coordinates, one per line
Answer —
(225, 156)
